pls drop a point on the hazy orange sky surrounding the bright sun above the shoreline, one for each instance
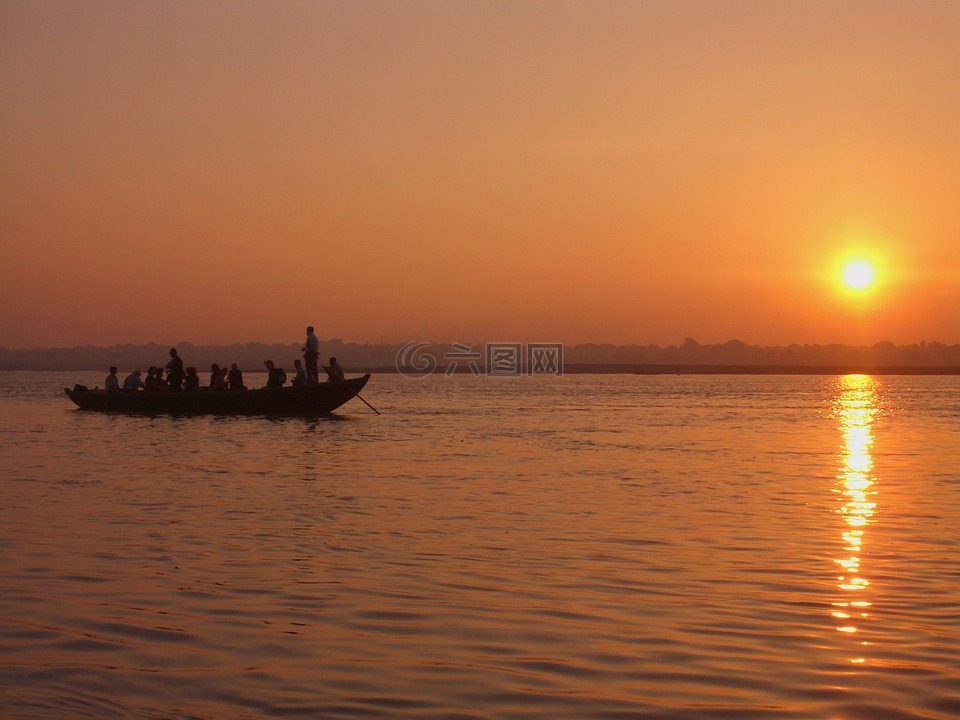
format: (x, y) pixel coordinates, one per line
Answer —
(530, 171)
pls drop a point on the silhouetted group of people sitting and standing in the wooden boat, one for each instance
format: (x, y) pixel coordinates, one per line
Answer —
(174, 377)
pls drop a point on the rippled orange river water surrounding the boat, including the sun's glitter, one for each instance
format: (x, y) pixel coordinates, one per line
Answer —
(537, 547)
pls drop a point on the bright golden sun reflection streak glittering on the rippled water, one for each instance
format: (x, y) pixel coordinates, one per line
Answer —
(855, 407)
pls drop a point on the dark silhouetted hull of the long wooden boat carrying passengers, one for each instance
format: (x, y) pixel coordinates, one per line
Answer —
(315, 399)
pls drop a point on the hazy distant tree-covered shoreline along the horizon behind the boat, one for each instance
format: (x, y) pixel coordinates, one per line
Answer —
(689, 358)
